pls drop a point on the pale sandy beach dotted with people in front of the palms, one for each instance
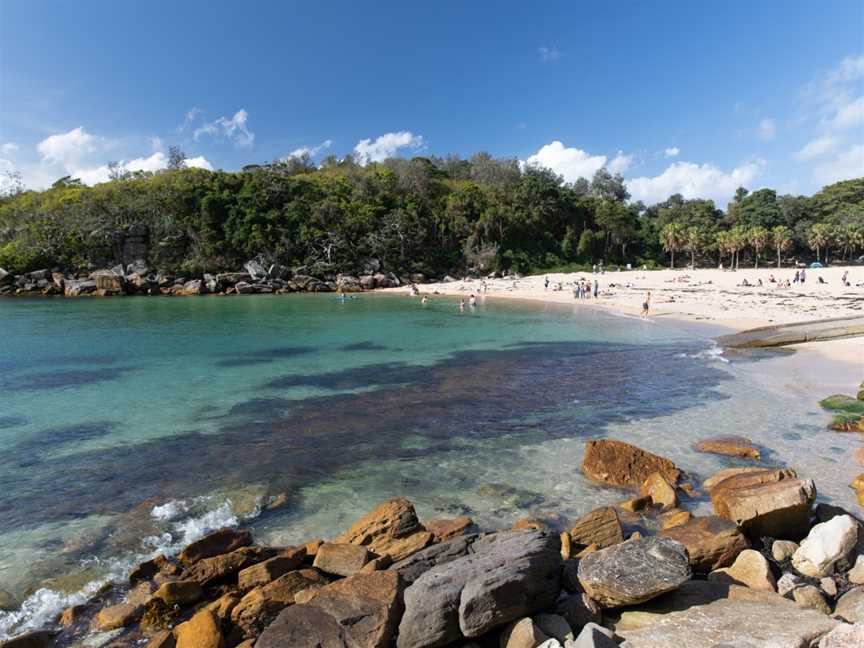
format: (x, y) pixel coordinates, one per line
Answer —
(701, 295)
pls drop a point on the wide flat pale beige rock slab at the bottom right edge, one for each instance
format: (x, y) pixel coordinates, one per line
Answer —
(742, 624)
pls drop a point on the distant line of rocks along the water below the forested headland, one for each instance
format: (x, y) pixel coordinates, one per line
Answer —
(137, 278)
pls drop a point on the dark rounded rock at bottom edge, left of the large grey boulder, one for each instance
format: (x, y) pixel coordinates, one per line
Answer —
(302, 626)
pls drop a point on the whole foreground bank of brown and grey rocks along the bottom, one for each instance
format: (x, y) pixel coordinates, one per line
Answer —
(769, 567)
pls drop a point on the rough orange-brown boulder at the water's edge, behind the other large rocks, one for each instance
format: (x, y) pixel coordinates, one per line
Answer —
(620, 464)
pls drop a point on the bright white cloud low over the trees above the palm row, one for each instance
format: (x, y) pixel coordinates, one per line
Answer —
(694, 181)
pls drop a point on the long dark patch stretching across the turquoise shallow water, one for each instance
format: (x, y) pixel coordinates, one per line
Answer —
(288, 443)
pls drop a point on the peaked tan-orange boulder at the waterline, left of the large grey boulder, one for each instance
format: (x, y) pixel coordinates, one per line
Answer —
(392, 529)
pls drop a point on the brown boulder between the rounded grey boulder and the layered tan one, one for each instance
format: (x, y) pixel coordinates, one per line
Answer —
(712, 542)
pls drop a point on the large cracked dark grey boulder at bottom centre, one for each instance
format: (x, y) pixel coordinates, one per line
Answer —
(508, 575)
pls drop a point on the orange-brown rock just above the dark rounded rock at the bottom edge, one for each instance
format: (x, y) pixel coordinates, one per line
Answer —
(261, 605)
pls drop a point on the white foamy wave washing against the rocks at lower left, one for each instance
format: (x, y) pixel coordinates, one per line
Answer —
(42, 607)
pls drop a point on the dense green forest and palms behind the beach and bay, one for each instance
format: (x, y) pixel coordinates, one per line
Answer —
(428, 215)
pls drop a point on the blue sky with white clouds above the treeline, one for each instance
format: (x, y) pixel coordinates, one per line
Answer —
(694, 97)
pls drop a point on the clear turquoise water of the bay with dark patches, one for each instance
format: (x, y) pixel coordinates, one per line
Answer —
(134, 425)
